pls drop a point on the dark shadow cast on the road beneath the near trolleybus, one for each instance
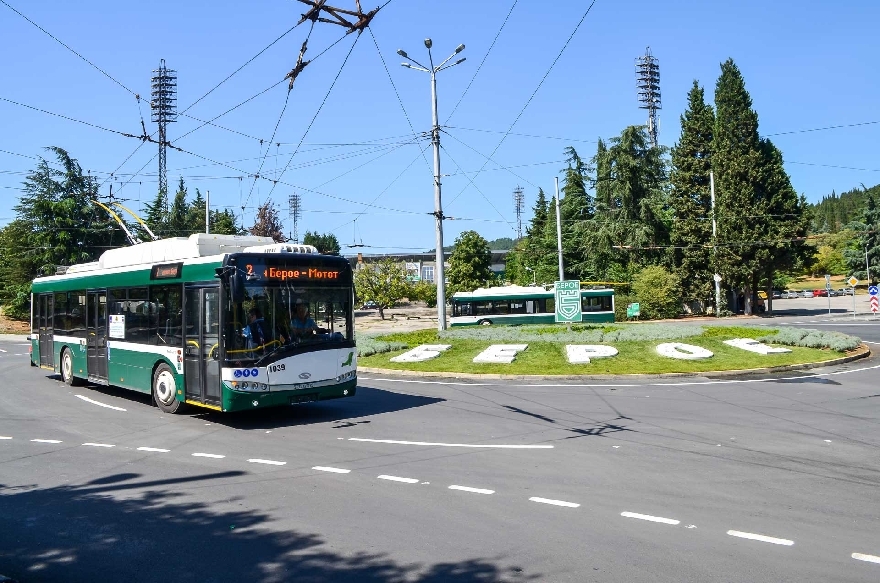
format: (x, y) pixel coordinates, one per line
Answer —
(348, 411)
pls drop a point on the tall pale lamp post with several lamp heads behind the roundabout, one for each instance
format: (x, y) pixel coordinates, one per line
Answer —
(435, 139)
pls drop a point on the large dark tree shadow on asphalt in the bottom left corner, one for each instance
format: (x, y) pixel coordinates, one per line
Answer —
(135, 528)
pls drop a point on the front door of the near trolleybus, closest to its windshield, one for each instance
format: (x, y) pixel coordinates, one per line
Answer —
(202, 354)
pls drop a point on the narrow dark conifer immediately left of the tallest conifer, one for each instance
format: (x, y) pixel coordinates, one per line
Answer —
(691, 199)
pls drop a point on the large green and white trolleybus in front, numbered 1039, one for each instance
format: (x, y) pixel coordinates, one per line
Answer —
(174, 317)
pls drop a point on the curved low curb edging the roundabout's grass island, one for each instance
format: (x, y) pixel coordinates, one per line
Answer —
(862, 352)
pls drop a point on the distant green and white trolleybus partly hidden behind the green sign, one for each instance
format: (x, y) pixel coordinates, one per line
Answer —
(524, 305)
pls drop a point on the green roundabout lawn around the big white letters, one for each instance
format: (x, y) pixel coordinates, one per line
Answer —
(637, 357)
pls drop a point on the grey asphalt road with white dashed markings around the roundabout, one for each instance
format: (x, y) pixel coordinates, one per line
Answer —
(683, 479)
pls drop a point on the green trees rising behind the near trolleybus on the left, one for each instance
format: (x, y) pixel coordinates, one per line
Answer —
(58, 223)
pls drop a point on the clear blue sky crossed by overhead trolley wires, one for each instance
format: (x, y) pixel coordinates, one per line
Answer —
(807, 64)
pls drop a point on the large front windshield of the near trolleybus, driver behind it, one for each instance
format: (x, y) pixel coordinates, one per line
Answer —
(277, 318)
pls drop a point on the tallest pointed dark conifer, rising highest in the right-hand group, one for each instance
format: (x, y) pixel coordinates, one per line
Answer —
(737, 159)
